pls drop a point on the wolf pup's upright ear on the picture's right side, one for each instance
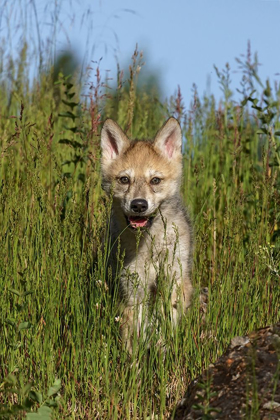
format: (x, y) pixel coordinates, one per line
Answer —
(168, 140)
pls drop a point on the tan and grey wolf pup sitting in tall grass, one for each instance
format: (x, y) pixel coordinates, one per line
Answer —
(148, 222)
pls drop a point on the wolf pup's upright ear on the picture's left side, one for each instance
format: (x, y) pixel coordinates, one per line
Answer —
(113, 140)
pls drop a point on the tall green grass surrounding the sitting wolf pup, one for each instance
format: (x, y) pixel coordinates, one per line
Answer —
(58, 317)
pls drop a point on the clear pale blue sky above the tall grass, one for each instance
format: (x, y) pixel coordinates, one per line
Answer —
(181, 40)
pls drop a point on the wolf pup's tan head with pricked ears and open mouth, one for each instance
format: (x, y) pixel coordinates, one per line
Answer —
(141, 175)
